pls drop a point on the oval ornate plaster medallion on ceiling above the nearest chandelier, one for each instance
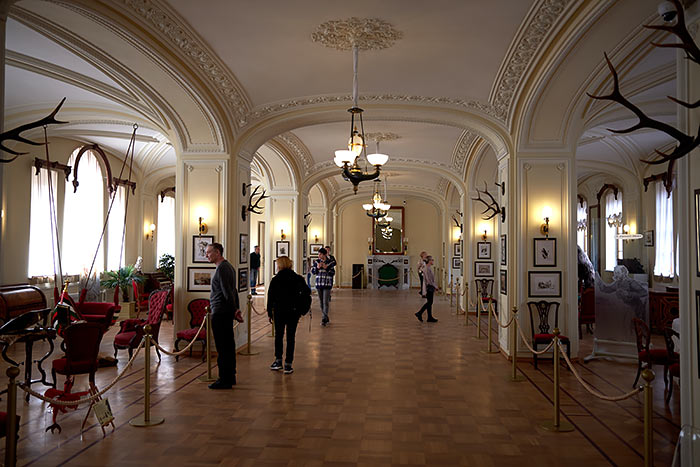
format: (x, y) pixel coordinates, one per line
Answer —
(365, 33)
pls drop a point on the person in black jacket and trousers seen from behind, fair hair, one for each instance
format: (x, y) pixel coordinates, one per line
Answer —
(288, 299)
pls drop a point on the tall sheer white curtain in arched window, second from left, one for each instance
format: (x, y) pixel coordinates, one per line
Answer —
(83, 217)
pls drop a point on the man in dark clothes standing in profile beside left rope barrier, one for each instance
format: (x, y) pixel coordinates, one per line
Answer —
(223, 302)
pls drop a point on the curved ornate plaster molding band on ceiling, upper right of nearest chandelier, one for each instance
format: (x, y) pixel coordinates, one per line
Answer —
(542, 18)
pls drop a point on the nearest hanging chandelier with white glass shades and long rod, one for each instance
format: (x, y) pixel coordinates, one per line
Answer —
(347, 159)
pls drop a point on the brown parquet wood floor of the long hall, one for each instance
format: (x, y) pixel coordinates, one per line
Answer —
(376, 387)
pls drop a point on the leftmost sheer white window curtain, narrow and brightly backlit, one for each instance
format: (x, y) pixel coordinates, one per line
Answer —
(41, 247)
